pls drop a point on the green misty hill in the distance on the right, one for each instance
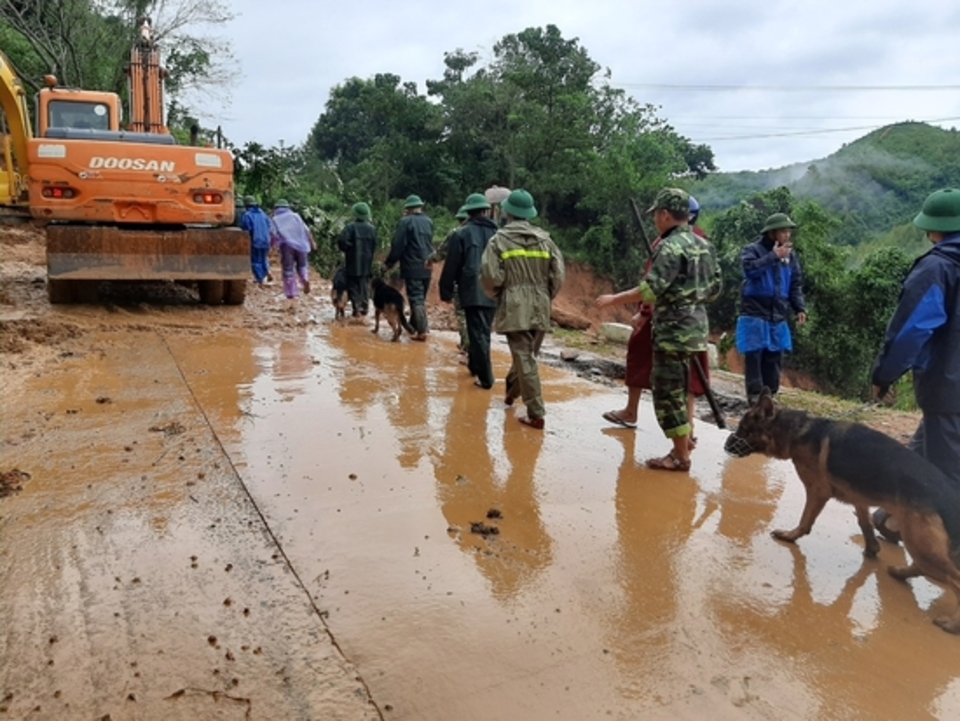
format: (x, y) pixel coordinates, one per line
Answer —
(872, 184)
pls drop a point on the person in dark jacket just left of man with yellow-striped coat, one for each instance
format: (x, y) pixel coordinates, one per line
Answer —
(461, 275)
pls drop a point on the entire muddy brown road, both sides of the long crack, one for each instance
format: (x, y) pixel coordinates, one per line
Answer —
(257, 513)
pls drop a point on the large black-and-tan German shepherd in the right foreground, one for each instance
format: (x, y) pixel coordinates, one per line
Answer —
(863, 467)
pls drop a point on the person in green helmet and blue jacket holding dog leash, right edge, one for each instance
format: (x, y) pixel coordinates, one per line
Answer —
(923, 336)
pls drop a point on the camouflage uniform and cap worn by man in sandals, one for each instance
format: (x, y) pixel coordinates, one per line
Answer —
(683, 278)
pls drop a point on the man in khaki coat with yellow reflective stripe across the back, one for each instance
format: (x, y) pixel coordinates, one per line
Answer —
(522, 269)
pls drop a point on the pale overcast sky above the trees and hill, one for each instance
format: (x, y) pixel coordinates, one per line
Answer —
(804, 75)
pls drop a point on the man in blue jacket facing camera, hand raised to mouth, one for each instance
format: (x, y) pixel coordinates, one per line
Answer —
(772, 286)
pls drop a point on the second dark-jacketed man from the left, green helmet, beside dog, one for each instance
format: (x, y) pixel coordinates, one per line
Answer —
(412, 248)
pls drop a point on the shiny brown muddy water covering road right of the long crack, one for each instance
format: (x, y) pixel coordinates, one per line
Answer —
(609, 589)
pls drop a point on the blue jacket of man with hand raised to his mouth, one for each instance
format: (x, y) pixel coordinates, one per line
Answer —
(770, 287)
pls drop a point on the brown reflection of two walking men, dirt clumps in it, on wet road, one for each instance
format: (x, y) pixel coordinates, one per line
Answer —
(469, 485)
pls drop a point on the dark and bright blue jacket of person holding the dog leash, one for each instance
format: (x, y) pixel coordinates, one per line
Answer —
(924, 333)
